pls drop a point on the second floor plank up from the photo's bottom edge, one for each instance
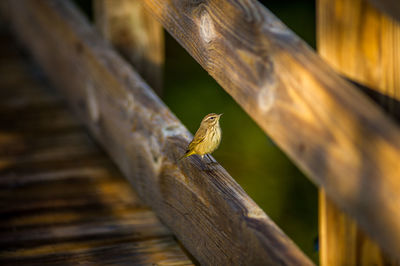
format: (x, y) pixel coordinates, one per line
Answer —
(137, 225)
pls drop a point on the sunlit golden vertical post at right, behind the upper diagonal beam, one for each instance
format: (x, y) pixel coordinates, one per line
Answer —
(363, 44)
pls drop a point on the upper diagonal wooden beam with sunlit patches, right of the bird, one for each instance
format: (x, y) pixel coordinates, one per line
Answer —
(351, 150)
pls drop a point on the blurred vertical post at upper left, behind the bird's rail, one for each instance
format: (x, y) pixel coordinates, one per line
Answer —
(135, 34)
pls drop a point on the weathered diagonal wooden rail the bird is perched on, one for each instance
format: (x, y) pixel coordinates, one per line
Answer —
(206, 209)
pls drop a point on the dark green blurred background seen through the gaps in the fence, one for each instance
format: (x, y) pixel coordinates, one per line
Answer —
(255, 162)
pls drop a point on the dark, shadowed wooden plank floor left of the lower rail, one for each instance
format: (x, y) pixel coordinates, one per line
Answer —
(62, 201)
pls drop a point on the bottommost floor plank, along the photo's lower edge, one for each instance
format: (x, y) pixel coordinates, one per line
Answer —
(159, 251)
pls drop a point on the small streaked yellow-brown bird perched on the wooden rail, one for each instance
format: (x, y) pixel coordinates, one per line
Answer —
(207, 138)
